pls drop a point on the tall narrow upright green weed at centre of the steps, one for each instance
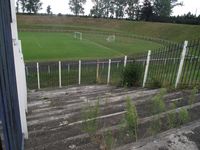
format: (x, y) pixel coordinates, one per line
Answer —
(131, 118)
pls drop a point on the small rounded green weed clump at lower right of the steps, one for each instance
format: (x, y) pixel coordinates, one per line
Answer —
(183, 116)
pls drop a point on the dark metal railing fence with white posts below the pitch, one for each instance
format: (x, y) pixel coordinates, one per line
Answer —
(176, 65)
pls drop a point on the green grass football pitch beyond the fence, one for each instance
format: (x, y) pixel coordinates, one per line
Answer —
(54, 46)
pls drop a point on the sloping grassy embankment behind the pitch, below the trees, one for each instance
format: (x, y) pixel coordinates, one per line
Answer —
(173, 32)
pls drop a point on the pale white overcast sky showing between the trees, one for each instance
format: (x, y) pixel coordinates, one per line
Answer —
(61, 6)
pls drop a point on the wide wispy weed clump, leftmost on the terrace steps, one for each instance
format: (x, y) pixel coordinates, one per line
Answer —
(90, 124)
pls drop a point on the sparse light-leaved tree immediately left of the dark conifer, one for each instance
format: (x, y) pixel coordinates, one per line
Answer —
(132, 9)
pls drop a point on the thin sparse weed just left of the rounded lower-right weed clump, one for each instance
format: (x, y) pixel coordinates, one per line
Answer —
(171, 117)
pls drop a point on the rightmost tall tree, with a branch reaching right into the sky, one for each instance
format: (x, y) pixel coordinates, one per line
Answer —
(163, 8)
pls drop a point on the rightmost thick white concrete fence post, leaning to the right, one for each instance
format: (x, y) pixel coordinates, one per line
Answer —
(181, 63)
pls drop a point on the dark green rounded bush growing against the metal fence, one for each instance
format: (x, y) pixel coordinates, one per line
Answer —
(131, 75)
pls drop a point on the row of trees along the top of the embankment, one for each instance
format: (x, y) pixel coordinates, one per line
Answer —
(148, 10)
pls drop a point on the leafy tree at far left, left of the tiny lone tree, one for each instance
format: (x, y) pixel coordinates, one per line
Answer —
(33, 6)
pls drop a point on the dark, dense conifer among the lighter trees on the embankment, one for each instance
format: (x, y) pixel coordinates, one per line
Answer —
(147, 10)
